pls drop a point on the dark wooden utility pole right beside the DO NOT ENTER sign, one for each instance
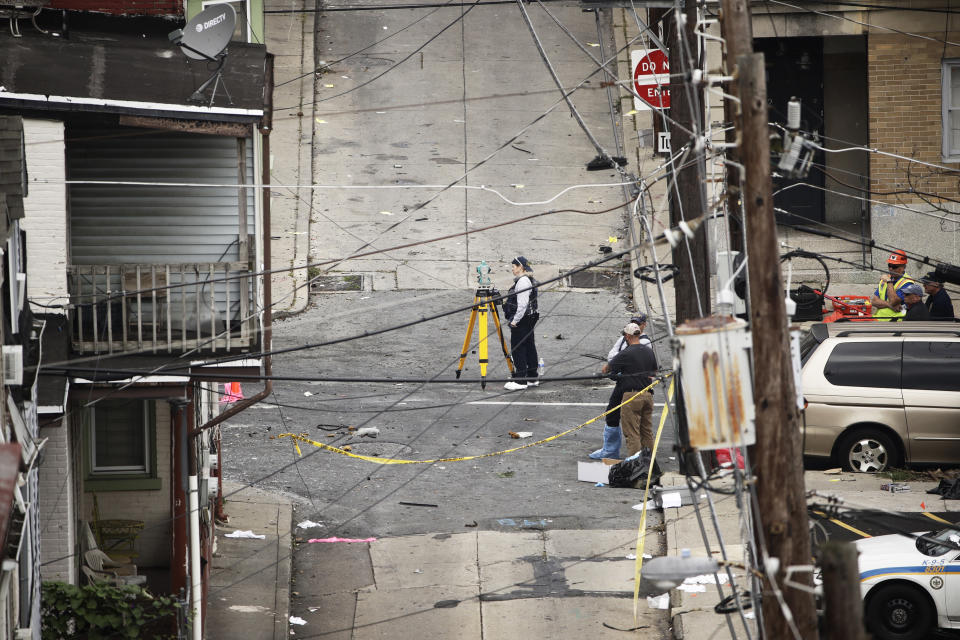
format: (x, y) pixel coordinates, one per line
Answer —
(687, 190)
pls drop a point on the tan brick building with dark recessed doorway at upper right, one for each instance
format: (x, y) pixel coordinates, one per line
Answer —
(876, 82)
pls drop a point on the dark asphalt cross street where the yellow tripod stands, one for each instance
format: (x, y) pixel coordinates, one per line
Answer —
(536, 486)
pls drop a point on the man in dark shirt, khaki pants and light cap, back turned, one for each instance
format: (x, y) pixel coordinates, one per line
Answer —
(633, 369)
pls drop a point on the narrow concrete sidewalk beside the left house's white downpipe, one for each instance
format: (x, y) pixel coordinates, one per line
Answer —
(249, 595)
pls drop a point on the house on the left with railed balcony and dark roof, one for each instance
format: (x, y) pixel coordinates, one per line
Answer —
(148, 291)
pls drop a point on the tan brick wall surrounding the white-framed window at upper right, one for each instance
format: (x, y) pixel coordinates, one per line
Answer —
(904, 76)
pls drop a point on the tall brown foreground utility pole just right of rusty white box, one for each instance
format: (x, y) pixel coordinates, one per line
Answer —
(778, 462)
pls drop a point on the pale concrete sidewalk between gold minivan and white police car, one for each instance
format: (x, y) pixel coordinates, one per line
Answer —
(692, 614)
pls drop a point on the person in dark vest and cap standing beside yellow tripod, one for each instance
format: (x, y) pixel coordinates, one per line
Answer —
(520, 311)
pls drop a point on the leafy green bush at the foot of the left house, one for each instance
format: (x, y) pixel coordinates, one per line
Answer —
(101, 611)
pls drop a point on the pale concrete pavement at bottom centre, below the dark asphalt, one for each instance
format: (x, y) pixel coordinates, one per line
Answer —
(473, 585)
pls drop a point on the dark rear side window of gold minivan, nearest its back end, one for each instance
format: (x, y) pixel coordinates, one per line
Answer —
(865, 364)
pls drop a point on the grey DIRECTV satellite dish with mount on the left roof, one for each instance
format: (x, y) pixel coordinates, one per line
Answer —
(205, 37)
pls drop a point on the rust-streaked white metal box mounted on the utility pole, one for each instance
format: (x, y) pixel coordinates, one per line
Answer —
(713, 358)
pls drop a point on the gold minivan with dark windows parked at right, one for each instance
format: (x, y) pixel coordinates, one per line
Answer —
(882, 394)
